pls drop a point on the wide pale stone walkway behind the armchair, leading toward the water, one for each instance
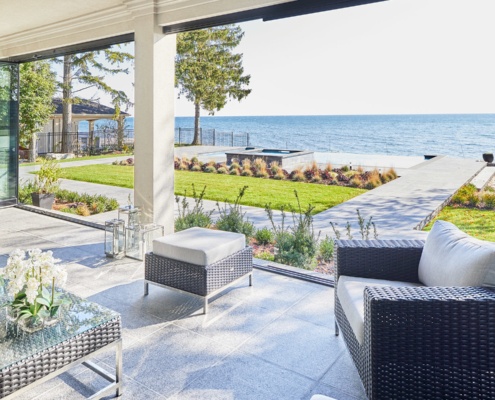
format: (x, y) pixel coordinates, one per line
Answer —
(404, 204)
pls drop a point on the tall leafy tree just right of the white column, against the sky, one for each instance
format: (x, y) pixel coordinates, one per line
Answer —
(208, 72)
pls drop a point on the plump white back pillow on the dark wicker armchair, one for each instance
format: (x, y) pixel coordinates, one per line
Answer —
(453, 258)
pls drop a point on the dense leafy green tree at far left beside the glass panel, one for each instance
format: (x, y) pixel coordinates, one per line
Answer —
(37, 84)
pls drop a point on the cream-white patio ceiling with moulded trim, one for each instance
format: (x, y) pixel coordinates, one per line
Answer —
(30, 26)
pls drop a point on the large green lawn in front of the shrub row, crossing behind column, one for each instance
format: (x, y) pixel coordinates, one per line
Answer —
(226, 187)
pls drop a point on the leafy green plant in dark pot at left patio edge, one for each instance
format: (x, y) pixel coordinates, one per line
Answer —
(46, 183)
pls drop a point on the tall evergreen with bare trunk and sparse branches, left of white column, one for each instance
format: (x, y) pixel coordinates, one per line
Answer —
(90, 69)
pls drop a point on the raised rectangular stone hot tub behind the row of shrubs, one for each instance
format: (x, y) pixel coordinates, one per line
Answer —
(285, 158)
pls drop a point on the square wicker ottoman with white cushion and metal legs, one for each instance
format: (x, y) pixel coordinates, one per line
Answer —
(199, 261)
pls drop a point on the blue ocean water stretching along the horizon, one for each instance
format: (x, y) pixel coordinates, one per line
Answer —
(459, 135)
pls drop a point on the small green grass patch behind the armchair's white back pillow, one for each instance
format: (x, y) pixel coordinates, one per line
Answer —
(475, 222)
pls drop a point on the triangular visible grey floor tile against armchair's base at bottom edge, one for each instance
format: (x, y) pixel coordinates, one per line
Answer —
(343, 375)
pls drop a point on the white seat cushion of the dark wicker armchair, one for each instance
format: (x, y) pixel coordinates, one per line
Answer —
(350, 291)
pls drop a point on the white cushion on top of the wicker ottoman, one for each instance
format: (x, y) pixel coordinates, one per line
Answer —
(199, 246)
